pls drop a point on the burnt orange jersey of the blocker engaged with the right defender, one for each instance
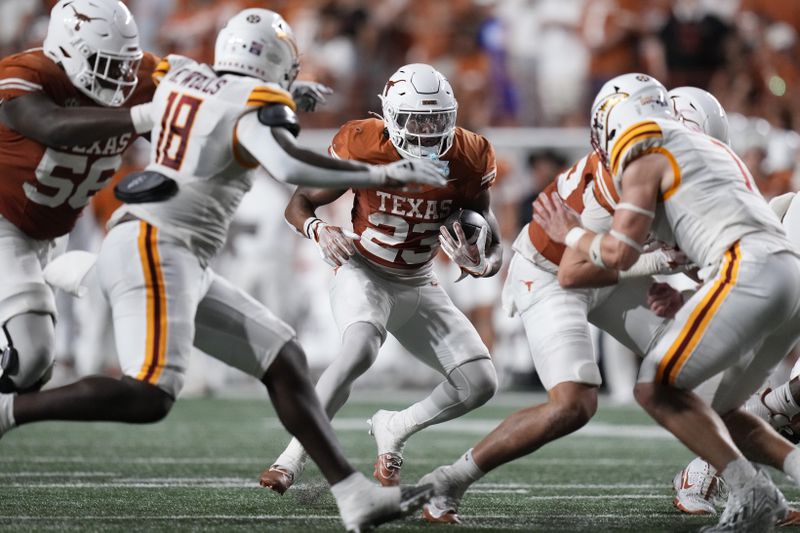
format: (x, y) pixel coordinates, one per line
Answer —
(571, 186)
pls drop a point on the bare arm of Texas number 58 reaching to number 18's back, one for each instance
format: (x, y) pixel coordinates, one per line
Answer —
(57, 126)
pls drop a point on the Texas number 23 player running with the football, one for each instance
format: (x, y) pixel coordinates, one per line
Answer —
(384, 281)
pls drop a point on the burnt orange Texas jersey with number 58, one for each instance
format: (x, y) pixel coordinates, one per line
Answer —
(44, 189)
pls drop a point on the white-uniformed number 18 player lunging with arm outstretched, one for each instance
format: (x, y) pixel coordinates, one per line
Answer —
(215, 125)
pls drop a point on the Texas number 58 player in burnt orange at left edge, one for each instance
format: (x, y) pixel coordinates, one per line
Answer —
(67, 112)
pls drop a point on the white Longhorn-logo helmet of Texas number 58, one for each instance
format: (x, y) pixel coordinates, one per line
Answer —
(96, 42)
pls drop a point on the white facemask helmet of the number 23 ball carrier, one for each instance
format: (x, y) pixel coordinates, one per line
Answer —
(419, 111)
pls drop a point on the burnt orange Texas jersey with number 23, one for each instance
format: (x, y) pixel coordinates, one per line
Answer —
(400, 229)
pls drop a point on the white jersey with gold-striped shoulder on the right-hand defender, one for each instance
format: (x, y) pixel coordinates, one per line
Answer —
(713, 201)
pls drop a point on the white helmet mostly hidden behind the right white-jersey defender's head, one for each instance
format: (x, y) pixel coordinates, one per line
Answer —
(701, 111)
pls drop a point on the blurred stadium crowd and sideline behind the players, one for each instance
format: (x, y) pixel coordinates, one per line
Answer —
(524, 72)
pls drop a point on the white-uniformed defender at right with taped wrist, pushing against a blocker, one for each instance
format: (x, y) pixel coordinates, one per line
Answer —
(742, 320)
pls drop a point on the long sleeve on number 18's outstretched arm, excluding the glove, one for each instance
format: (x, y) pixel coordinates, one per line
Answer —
(287, 162)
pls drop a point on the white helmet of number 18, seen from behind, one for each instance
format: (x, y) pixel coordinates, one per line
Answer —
(258, 43)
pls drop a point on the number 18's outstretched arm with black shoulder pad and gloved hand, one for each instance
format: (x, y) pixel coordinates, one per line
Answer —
(269, 137)
